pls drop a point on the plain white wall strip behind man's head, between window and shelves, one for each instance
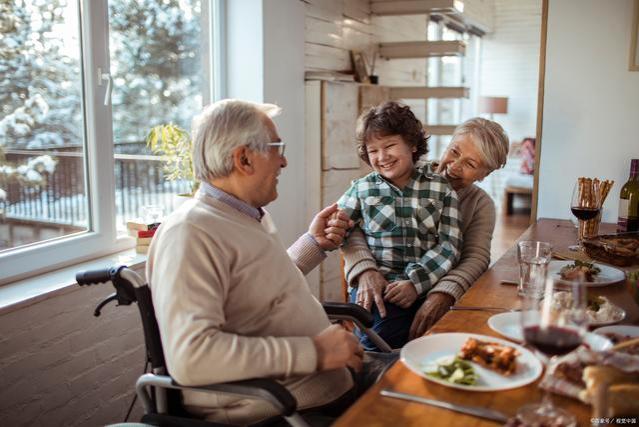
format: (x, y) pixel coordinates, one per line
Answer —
(265, 63)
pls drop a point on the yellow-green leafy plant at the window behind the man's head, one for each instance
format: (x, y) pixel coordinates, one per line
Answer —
(174, 143)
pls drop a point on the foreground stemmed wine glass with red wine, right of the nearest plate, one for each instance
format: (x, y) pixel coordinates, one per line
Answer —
(553, 327)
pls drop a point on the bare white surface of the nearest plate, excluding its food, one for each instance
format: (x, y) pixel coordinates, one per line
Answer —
(424, 352)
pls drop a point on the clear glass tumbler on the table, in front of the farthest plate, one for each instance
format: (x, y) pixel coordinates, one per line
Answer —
(533, 260)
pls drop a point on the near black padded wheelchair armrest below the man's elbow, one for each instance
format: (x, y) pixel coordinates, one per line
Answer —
(263, 388)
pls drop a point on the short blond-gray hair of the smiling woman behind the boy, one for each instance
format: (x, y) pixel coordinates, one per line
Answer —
(489, 137)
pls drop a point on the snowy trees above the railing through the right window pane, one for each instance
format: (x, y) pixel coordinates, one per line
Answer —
(156, 64)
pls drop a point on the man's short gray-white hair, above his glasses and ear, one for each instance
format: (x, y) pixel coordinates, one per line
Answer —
(223, 126)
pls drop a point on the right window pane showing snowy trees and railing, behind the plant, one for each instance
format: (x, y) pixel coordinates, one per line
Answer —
(156, 65)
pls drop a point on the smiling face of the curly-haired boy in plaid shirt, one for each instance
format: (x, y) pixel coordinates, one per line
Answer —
(391, 157)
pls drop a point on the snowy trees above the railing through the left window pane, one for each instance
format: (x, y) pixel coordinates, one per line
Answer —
(39, 82)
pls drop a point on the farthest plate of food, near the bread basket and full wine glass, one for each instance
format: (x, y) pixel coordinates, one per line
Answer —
(594, 274)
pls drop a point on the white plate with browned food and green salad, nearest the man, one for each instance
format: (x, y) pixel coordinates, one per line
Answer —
(471, 362)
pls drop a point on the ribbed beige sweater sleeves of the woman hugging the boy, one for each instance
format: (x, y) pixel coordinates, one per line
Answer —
(477, 225)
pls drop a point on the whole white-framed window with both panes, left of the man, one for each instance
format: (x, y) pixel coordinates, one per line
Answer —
(75, 109)
